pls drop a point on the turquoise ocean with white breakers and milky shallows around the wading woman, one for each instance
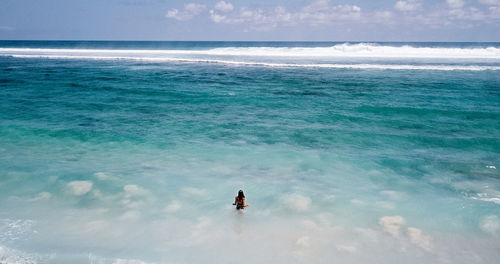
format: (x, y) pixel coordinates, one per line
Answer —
(348, 152)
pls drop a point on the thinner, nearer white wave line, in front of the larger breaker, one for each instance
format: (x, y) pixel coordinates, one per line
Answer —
(278, 65)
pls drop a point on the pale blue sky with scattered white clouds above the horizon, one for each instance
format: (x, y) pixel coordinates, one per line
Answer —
(251, 20)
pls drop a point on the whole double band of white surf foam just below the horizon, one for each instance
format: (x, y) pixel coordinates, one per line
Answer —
(266, 56)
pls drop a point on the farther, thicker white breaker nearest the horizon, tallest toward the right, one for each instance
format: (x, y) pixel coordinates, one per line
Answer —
(361, 50)
